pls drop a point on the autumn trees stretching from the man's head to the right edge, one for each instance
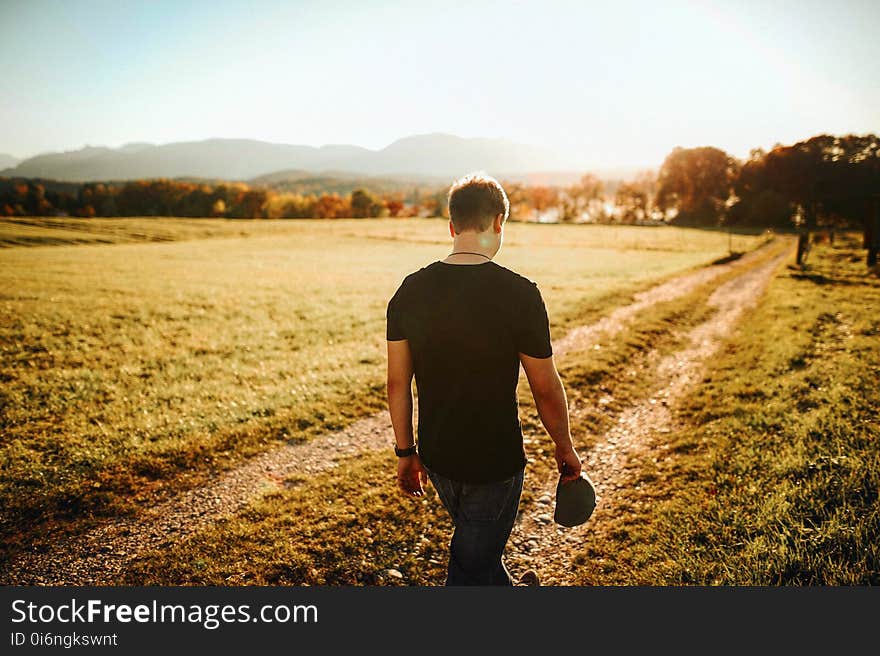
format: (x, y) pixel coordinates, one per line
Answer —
(825, 181)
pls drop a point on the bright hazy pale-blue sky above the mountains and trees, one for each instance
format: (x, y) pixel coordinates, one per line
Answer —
(614, 83)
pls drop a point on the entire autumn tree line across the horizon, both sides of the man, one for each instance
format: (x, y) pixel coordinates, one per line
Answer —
(823, 181)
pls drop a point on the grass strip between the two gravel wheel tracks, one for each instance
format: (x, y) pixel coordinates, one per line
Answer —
(347, 526)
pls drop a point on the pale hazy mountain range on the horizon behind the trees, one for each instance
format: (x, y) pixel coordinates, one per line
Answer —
(428, 155)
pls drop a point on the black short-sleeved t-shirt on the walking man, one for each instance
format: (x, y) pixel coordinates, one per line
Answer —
(466, 325)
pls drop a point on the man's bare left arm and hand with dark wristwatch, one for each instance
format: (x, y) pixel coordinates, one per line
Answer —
(411, 475)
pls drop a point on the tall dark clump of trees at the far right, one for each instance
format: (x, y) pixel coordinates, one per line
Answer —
(824, 181)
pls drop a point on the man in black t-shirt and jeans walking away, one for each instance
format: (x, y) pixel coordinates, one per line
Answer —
(462, 326)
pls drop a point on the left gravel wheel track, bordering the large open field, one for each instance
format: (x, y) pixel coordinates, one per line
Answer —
(101, 555)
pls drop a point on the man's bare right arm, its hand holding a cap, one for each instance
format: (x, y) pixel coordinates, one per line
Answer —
(552, 406)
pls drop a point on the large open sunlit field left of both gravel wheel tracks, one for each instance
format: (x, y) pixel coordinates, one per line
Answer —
(132, 369)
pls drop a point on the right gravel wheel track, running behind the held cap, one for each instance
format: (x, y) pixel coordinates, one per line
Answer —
(540, 544)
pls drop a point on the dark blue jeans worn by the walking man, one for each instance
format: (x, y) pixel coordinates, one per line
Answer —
(483, 515)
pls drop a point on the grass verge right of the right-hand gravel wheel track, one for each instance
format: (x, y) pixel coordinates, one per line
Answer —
(775, 479)
